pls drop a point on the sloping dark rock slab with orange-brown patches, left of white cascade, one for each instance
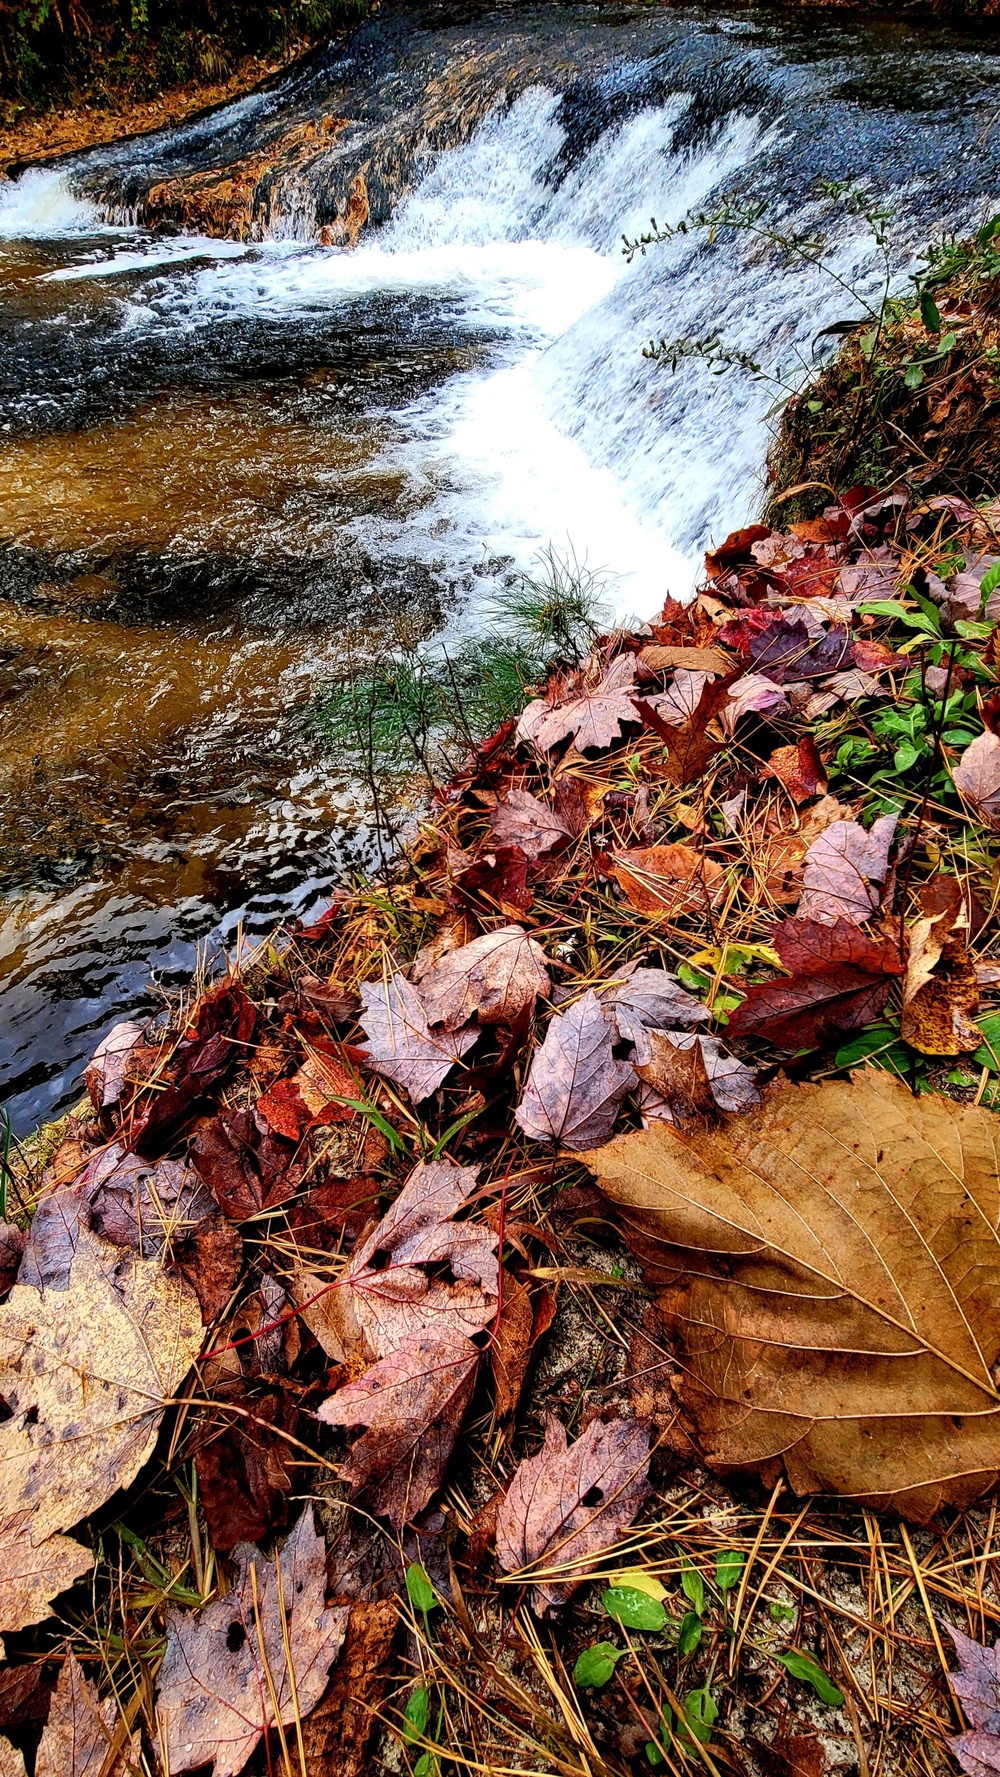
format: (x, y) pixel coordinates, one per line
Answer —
(335, 145)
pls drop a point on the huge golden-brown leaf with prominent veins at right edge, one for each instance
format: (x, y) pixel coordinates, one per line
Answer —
(832, 1279)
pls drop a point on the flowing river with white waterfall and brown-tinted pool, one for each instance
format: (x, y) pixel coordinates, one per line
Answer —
(237, 449)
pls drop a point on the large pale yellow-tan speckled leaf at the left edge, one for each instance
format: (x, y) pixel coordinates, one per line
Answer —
(106, 1359)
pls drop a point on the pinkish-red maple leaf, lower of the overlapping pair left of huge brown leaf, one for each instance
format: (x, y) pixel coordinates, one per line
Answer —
(413, 1403)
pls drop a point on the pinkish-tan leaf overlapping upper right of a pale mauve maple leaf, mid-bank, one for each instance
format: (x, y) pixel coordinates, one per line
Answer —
(496, 976)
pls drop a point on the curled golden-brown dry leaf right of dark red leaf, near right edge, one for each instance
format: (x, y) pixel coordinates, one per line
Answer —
(940, 992)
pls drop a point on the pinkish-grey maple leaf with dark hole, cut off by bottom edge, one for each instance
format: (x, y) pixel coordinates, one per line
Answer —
(251, 1661)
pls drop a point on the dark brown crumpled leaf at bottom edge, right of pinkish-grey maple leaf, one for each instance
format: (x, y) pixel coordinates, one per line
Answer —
(340, 1732)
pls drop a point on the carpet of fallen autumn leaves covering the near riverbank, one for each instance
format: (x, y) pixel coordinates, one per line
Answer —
(429, 1344)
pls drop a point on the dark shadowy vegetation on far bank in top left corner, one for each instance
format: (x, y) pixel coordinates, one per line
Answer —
(116, 51)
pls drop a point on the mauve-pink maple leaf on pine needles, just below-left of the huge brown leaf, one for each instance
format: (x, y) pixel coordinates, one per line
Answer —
(571, 1502)
